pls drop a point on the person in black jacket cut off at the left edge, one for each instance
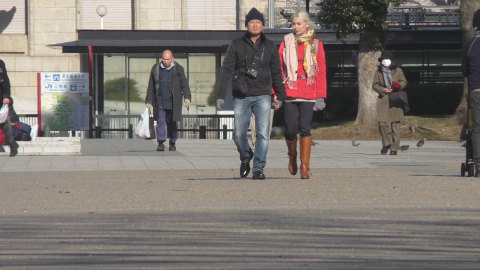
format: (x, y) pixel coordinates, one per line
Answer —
(5, 95)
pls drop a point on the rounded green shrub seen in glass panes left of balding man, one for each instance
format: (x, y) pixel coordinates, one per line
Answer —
(115, 90)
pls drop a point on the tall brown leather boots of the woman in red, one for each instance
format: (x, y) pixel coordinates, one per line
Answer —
(305, 150)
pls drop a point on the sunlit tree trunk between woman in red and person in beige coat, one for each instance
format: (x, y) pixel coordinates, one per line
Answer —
(370, 48)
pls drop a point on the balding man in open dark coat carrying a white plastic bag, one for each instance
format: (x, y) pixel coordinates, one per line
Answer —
(166, 88)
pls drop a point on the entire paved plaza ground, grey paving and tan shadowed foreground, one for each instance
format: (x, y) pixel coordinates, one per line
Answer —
(123, 205)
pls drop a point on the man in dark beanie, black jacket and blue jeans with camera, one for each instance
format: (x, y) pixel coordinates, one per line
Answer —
(253, 63)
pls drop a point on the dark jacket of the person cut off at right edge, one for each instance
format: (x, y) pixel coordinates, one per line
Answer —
(471, 62)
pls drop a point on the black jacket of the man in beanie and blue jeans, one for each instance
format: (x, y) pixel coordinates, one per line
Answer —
(242, 53)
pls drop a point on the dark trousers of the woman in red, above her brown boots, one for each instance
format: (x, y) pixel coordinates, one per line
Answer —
(298, 119)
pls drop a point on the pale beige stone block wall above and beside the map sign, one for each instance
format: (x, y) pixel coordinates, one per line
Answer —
(50, 22)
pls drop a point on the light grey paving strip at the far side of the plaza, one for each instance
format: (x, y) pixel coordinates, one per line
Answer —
(135, 154)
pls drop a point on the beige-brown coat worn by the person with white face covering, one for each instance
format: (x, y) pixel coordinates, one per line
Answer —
(384, 112)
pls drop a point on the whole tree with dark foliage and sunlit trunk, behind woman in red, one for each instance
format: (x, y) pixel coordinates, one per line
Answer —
(368, 18)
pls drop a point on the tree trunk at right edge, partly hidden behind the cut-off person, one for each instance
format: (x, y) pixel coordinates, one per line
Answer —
(467, 8)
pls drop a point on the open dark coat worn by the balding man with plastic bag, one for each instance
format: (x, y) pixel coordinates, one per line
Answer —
(179, 88)
